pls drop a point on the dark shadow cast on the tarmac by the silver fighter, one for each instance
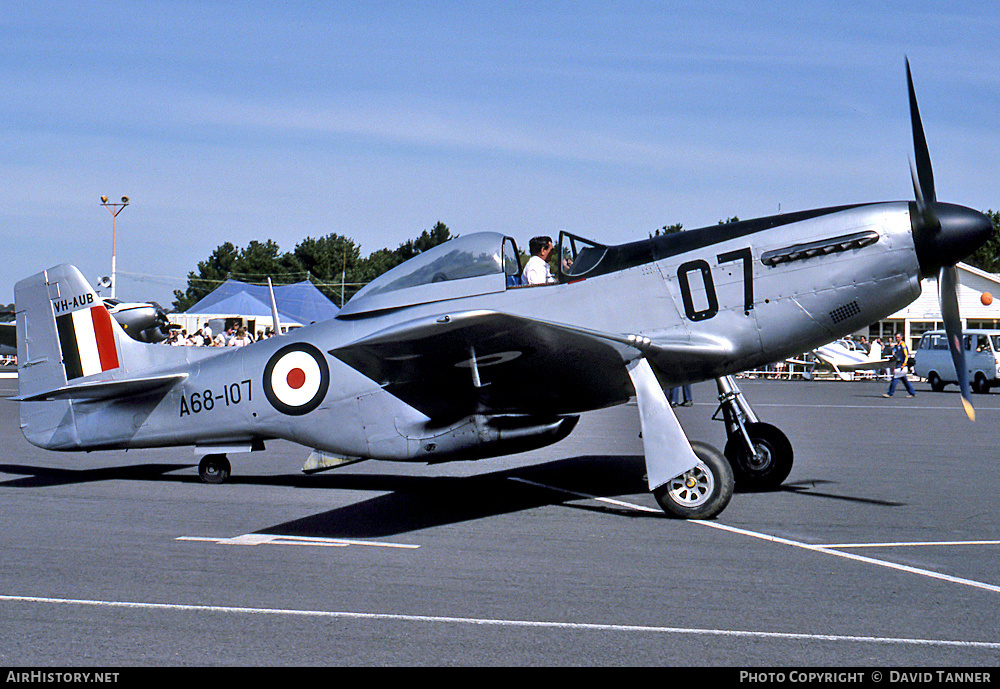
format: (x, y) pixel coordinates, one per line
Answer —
(411, 503)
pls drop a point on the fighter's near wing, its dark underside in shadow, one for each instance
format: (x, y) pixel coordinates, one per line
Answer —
(453, 365)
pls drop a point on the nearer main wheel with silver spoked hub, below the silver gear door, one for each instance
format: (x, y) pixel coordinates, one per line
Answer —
(702, 492)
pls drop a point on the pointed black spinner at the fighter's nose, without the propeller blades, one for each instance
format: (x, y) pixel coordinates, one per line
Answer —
(961, 231)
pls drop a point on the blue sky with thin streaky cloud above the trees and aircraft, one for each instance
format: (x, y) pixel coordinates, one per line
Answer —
(227, 121)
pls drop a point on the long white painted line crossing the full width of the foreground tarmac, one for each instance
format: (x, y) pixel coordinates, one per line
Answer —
(473, 621)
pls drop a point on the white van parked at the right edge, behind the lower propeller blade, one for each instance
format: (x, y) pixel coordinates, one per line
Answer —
(982, 357)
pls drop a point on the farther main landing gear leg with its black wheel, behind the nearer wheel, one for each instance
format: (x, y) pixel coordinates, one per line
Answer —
(760, 454)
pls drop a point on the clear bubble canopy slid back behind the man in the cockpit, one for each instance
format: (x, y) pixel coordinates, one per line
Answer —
(461, 267)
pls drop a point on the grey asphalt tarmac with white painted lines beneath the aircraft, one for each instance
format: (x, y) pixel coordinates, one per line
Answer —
(882, 550)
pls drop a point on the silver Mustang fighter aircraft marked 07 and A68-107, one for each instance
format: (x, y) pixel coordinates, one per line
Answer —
(448, 357)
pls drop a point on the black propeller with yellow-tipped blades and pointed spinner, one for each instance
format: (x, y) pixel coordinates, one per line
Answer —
(943, 234)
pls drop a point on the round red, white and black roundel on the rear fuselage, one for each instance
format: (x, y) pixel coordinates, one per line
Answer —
(296, 379)
